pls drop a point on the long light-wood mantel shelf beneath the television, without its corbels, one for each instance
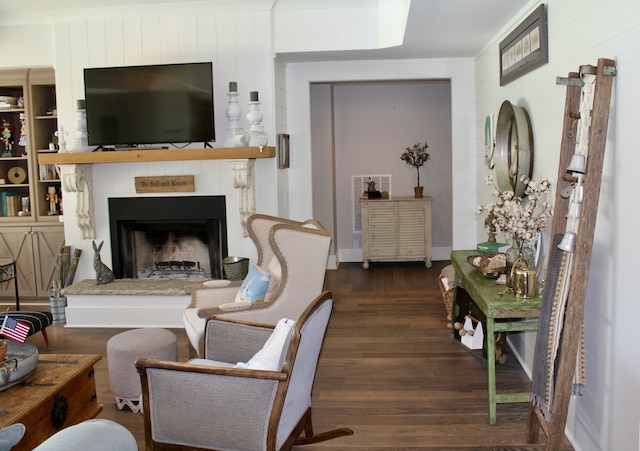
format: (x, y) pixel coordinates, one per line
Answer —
(133, 156)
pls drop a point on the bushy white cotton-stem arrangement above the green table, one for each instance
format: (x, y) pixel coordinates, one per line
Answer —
(519, 219)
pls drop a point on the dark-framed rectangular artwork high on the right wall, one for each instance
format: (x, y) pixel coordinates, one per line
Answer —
(525, 48)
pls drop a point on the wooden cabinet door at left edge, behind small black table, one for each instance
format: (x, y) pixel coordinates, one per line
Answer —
(16, 243)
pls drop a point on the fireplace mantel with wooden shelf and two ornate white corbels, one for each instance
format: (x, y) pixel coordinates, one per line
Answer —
(76, 174)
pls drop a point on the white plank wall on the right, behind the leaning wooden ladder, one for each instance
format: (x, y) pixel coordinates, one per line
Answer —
(606, 416)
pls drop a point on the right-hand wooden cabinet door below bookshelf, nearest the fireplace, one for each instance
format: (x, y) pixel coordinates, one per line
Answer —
(46, 243)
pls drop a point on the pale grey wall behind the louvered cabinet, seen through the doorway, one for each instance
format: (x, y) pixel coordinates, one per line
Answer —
(362, 129)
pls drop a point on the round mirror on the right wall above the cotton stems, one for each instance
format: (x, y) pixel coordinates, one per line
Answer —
(514, 148)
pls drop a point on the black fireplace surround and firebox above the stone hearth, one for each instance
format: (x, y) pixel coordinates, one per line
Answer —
(168, 220)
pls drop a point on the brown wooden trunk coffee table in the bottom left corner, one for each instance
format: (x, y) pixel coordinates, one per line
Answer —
(61, 392)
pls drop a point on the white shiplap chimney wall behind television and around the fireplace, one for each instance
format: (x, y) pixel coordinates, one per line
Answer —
(239, 45)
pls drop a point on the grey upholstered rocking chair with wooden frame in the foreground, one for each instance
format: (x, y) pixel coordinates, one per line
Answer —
(213, 403)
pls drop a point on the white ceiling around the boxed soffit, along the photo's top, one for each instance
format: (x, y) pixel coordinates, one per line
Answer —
(435, 28)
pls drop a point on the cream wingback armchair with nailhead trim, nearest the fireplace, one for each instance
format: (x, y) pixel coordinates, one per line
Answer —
(294, 254)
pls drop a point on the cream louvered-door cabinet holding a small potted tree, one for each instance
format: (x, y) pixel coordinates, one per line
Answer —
(397, 228)
